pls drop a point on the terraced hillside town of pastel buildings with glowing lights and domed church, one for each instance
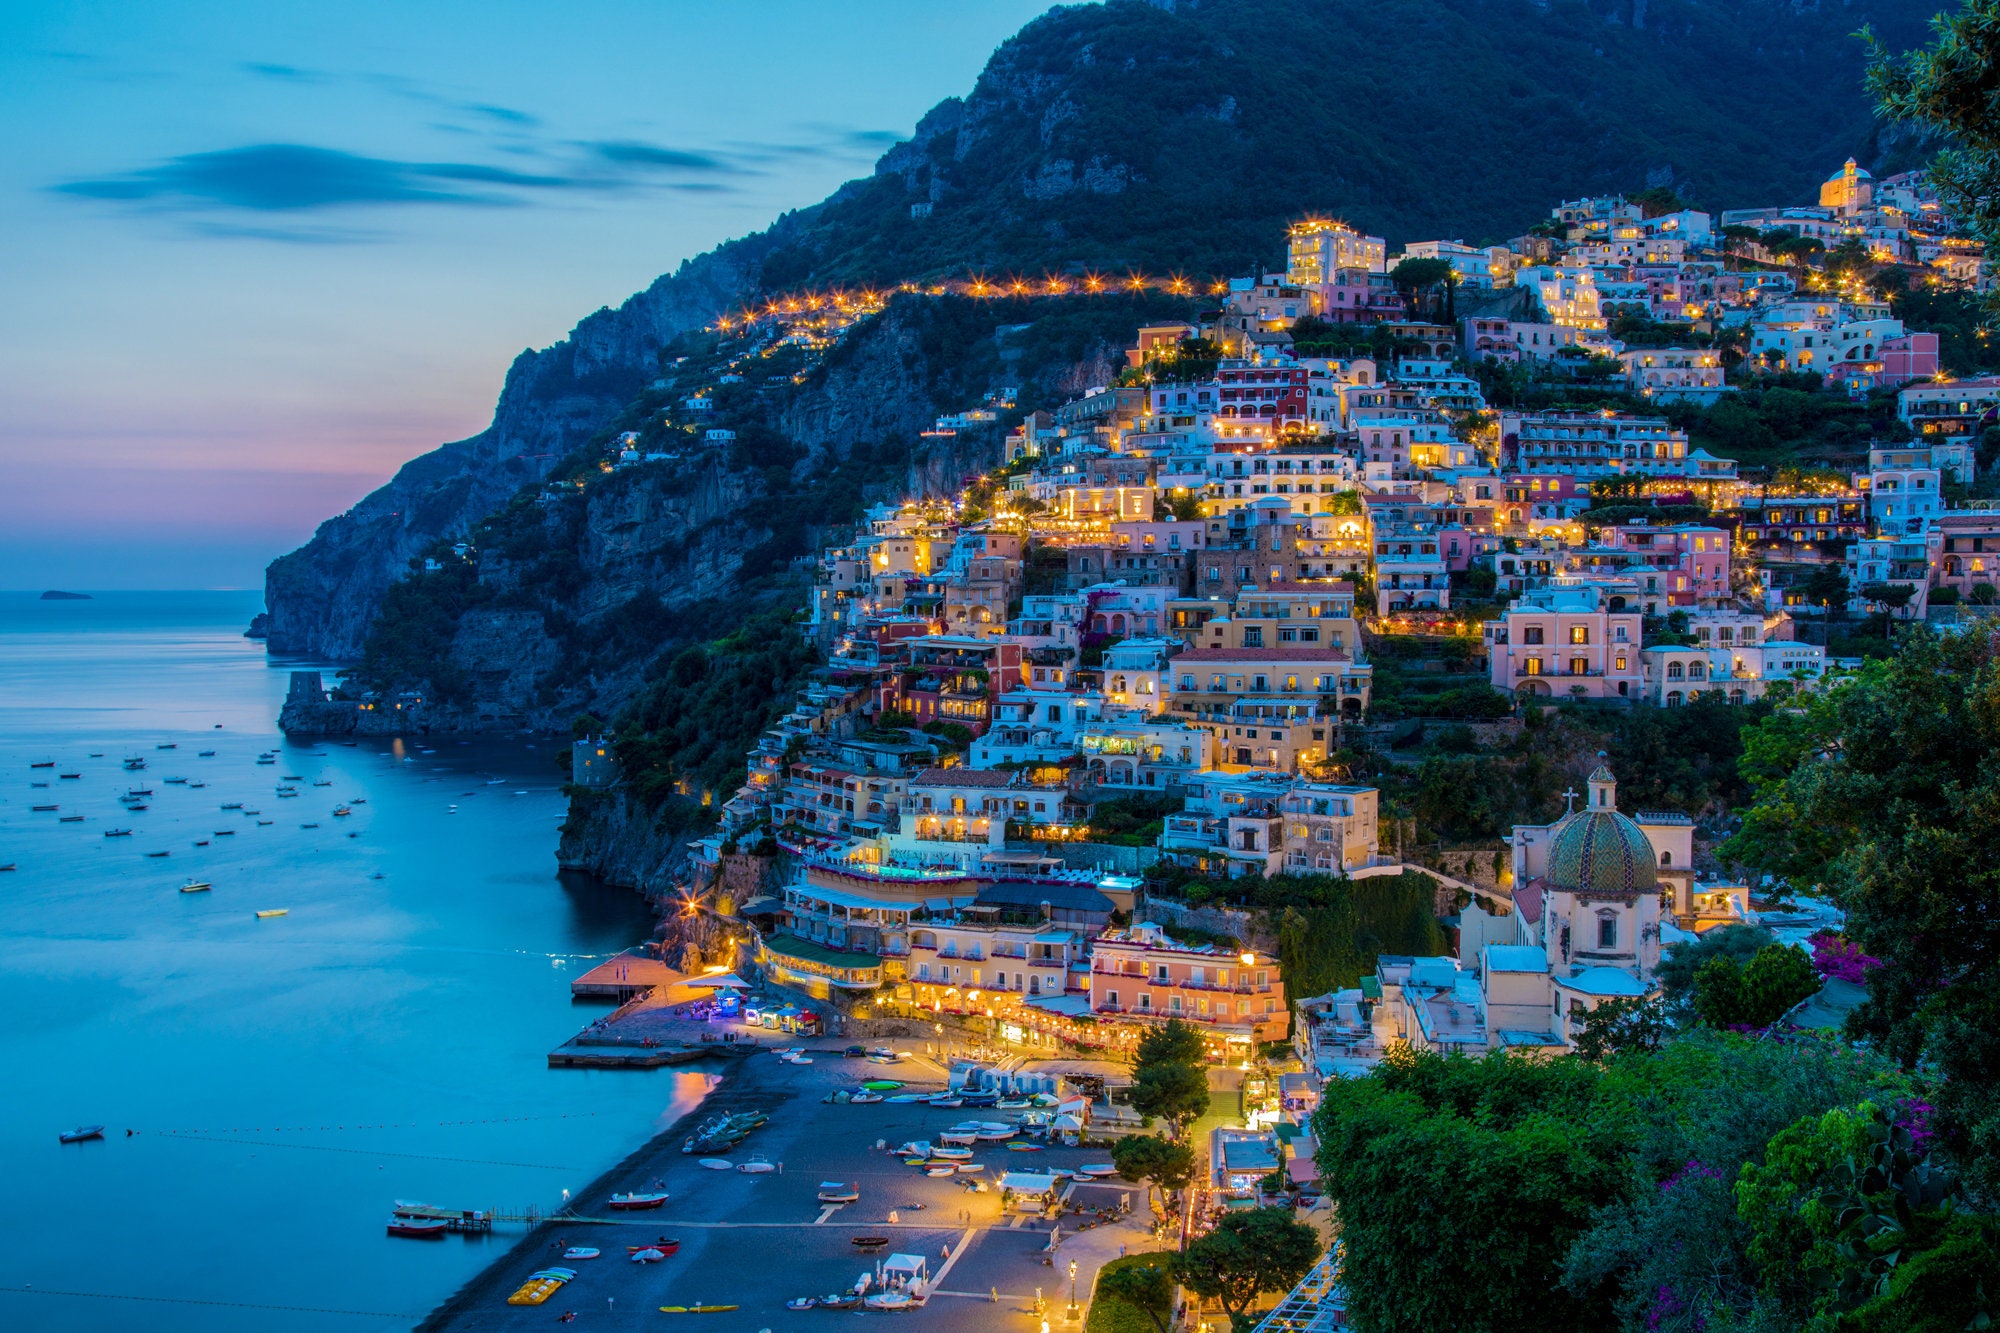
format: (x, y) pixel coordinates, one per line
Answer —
(1161, 601)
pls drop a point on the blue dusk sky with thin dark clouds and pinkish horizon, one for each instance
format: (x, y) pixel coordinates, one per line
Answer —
(255, 257)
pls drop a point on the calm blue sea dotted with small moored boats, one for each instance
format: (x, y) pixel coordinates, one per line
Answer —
(291, 1078)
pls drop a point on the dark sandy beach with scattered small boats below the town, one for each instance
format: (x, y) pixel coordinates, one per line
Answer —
(759, 1240)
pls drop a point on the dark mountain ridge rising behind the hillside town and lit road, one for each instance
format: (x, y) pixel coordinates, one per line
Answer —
(1159, 137)
